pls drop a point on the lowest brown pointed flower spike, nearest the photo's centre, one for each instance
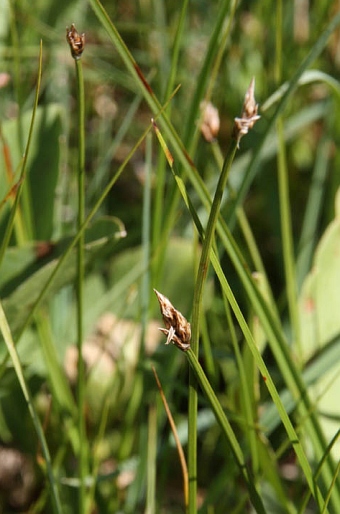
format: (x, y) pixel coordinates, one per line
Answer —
(177, 327)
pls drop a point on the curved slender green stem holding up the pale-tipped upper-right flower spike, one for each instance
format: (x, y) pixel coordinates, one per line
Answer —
(197, 305)
